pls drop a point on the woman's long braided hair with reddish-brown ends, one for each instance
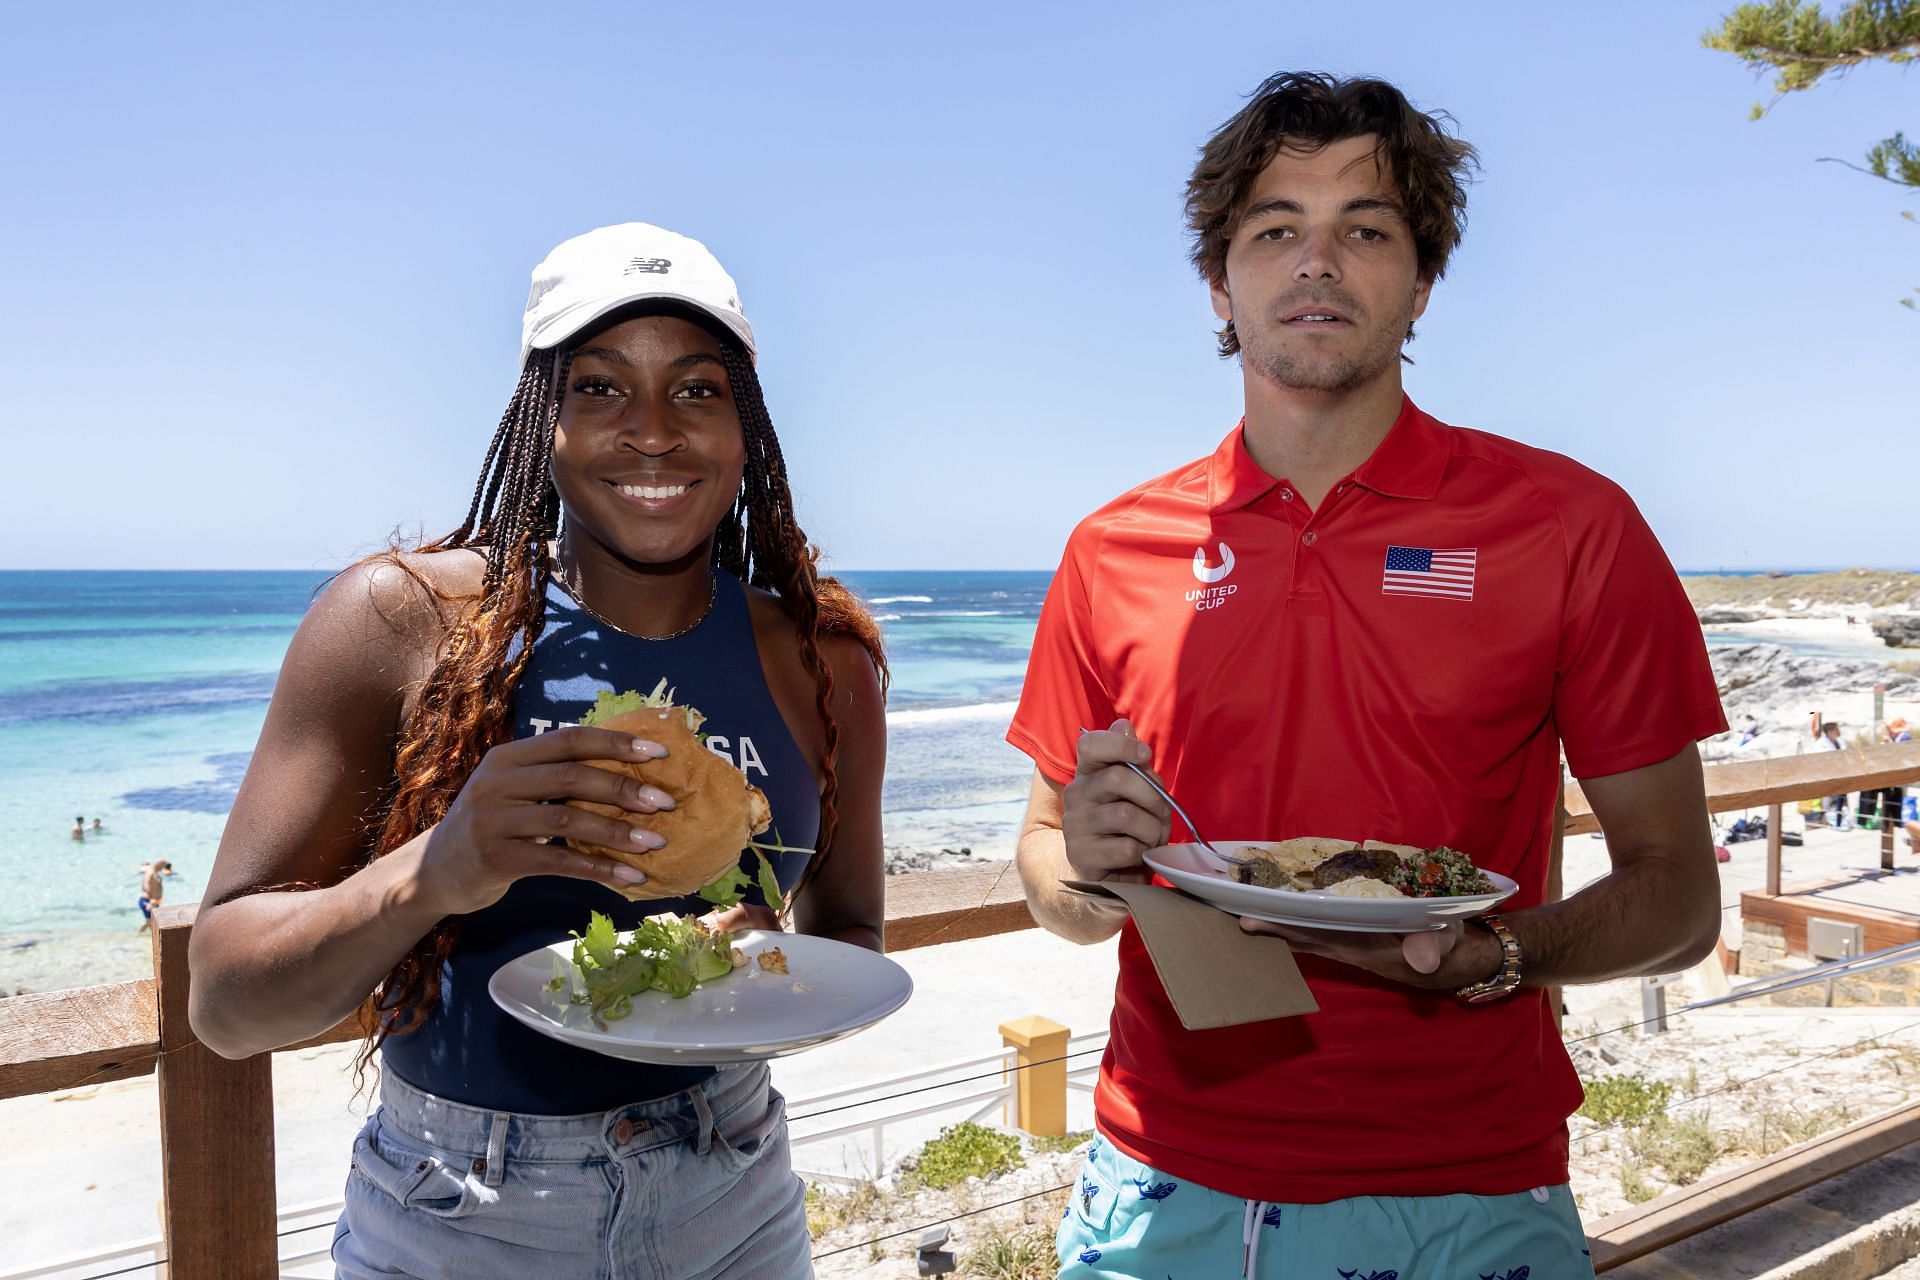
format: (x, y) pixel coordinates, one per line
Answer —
(466, 701)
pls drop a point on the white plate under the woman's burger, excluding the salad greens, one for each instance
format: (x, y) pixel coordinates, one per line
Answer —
(830, 991)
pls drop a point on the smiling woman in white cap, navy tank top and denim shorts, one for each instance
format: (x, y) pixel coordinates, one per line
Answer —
(396, 838)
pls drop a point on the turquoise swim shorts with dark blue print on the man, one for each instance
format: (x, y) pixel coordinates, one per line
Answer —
(1128, 1221)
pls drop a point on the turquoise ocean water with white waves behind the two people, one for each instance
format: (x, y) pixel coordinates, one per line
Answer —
(135, 698)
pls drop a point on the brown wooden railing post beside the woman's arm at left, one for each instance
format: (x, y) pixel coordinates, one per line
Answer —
(216, 1135)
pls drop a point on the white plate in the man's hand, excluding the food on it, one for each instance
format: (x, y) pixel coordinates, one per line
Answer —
(1205, 878)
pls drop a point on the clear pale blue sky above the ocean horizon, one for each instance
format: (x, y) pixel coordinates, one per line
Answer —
(268, 264)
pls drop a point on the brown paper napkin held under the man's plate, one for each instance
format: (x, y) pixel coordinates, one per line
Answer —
(1216, 976)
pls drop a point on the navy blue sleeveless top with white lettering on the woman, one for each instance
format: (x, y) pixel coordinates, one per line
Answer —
(469, 1051)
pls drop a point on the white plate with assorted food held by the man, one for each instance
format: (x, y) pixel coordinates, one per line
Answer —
(1335, 884)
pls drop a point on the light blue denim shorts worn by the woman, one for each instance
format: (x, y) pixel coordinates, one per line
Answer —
(686, 1187)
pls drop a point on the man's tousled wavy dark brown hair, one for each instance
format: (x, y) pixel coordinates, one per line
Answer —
(1308, 110)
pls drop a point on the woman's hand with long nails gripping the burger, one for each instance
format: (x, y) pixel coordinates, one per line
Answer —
(498, 826)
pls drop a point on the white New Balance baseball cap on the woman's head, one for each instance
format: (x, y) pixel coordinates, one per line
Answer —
(608, 268)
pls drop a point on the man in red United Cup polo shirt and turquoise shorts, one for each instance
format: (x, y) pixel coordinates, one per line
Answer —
(1360, 623)
